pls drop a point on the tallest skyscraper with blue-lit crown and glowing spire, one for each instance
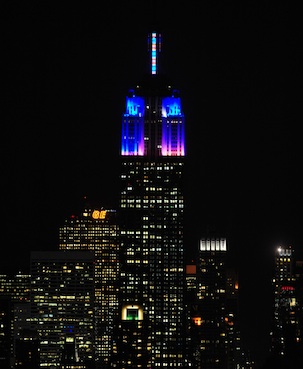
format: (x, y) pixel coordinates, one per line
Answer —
(152, 219)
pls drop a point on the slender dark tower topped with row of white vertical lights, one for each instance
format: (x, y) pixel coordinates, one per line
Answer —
(210, 330)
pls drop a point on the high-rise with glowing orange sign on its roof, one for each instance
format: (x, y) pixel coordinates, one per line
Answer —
(96, 230)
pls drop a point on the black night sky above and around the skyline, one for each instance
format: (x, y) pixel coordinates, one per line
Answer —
(66, 72)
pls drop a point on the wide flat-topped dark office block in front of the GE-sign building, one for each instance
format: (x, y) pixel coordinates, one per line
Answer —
(62, 303)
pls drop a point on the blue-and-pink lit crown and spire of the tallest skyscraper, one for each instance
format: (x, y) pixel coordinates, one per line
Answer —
(152, 120)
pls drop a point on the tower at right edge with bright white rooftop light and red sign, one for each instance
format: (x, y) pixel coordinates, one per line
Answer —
(287, 329)
